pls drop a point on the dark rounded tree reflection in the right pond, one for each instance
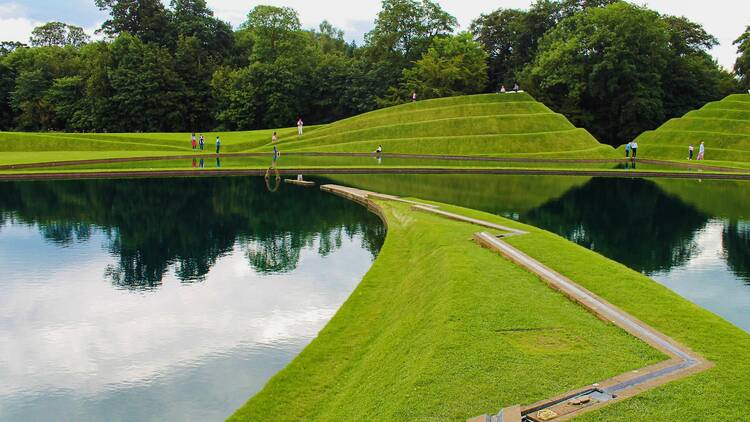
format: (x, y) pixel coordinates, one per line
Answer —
(628, 220)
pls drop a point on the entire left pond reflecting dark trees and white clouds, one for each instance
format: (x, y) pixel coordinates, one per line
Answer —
(165, 299)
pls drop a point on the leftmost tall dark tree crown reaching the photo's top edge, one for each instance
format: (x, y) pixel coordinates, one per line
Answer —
(148, 20)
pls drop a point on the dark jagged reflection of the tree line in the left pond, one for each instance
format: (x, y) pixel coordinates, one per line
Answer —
(188, 224)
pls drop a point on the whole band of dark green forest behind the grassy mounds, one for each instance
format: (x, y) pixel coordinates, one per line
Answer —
(610, 66)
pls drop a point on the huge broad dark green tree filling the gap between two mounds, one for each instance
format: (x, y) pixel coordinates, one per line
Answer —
(620, 70)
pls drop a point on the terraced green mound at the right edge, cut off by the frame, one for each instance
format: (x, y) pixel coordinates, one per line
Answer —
(723, 125)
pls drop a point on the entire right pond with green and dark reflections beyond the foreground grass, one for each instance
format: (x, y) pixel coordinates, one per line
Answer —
(693, 236)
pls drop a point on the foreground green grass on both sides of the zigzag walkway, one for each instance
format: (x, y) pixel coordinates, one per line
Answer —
(464, 332)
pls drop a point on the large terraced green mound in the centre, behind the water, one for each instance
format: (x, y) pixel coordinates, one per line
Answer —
(490, 124)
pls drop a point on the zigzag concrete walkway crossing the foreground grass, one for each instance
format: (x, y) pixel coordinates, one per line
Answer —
(681, 363)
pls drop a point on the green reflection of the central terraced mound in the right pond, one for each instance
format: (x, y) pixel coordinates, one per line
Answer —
(491, 193)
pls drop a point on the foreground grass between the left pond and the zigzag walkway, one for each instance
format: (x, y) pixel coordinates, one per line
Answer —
(442, 329)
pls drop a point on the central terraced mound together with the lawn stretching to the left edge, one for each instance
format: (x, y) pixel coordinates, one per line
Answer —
(499, 125)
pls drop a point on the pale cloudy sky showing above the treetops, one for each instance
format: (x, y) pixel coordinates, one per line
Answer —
(725, 19)
